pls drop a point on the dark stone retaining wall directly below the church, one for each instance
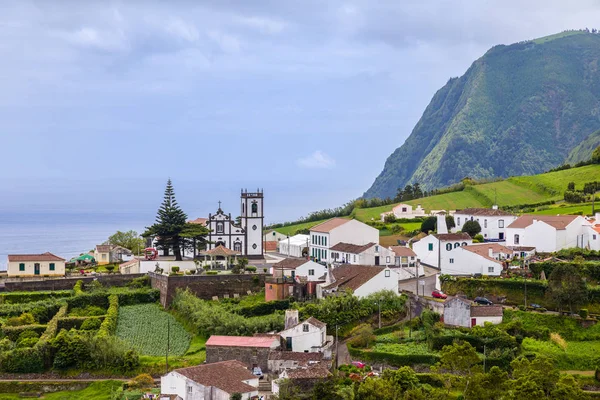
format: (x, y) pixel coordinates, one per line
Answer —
(206, 286)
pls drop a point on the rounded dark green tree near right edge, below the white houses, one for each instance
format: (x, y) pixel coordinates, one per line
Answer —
(566, 287)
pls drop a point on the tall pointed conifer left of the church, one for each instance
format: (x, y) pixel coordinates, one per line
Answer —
(169, 224)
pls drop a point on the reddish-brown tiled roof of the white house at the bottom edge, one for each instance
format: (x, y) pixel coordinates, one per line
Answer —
(225, 375)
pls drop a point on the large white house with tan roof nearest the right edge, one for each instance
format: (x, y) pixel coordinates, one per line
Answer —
(548, 233)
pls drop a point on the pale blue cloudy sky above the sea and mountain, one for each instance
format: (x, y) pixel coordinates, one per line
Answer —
(101, 102)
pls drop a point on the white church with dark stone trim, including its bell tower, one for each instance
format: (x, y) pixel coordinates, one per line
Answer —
(245, 237)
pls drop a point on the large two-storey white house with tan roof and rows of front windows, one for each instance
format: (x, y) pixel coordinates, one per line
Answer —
(336, 230)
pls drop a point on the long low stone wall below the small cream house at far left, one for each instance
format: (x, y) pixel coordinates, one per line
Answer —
(68, 283)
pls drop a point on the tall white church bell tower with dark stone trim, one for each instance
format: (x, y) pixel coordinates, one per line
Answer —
(252, 222)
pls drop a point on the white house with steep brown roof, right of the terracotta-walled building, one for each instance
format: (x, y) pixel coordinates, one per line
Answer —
(361, 280)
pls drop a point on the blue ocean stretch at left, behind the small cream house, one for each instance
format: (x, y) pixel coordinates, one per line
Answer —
(63, 233)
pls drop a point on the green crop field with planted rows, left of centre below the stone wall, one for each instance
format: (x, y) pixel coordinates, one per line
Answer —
(144, 327)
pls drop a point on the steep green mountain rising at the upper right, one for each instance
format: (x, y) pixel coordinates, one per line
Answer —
(518, 110)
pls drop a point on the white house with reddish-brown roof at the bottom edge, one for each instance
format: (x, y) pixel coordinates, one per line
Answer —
(216, 381)
